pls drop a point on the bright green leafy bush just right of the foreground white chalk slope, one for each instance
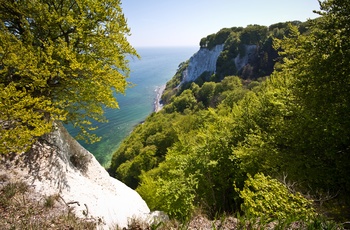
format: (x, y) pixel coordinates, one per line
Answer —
(169, 188)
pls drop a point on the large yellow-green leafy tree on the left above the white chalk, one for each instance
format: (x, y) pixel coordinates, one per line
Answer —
(59, 60)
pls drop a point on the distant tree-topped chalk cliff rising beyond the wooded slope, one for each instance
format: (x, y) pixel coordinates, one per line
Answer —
(244, 52)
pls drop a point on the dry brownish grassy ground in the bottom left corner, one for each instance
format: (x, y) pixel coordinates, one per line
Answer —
(20, 209)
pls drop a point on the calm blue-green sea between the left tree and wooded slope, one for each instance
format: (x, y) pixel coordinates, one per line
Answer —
(156, 66)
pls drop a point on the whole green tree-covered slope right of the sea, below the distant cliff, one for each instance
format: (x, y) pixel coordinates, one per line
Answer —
(274, 148)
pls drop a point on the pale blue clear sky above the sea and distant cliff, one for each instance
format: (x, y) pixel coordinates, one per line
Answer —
(185, 22)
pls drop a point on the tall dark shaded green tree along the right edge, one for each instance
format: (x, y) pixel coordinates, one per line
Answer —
(318, 63)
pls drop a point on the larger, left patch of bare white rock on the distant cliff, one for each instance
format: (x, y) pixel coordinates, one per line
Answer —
(202, 61)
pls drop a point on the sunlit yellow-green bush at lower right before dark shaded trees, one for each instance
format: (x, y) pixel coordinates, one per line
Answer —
(269, 199)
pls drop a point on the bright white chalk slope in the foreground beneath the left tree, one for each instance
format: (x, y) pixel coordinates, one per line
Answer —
(60, 165)
